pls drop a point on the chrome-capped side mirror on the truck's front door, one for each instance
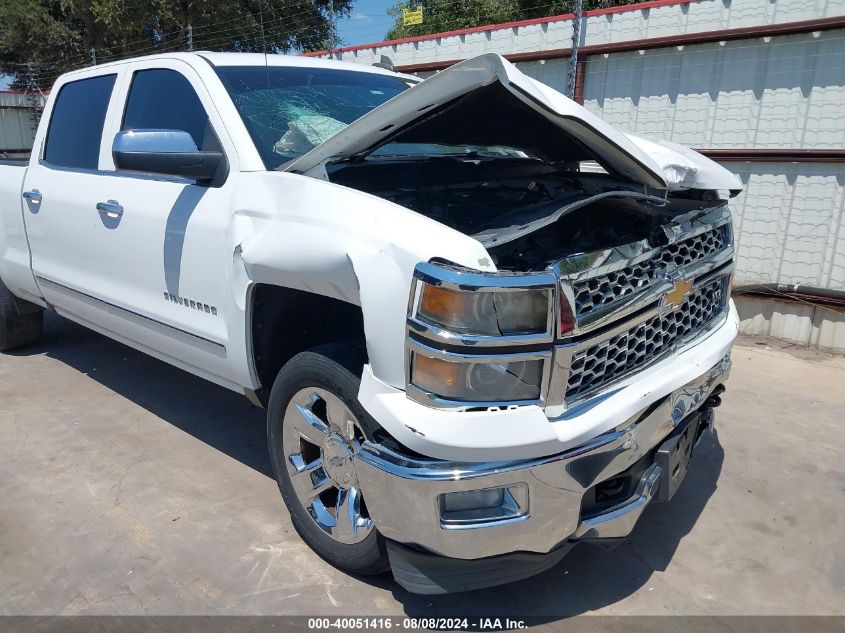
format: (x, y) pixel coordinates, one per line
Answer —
(168, 152)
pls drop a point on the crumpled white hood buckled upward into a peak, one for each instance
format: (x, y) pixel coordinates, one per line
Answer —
(650, 163)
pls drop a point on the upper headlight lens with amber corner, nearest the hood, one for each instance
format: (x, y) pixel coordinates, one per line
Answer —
(485, 312)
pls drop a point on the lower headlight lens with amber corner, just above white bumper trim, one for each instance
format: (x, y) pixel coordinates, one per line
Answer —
(478, 381)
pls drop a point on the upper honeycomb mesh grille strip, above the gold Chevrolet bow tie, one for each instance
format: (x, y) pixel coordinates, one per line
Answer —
(603, 290)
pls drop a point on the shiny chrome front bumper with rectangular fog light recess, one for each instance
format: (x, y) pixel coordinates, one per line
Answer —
(543, 497)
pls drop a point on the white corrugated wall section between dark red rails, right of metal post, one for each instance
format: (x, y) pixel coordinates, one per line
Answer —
(788, 91)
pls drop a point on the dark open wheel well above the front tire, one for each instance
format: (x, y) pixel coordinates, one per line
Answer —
(286, 322)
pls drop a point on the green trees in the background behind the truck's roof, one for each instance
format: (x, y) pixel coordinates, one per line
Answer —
(57, 35)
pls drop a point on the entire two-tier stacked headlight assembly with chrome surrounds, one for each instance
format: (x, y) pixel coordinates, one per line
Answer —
(458, 320)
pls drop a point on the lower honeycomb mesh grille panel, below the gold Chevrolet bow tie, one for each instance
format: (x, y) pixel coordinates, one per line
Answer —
(630, 351)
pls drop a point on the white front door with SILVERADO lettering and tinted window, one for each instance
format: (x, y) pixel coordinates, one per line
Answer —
(162, 251)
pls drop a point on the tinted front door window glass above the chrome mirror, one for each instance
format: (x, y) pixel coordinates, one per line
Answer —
(164, 99)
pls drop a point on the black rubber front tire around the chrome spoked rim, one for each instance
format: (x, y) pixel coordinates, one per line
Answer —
(335, 368)
